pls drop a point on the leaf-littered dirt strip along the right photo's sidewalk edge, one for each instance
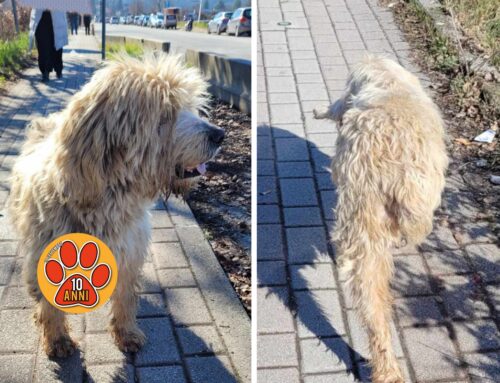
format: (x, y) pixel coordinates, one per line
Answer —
(466, 113)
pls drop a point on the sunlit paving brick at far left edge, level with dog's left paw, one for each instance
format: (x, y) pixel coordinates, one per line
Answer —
(18, 331)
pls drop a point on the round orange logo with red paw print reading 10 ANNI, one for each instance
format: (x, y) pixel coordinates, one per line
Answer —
(79, 273)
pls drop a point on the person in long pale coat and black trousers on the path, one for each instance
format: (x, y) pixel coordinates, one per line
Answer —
(50, 29)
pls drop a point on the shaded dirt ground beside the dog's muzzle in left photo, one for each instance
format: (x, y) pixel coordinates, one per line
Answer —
(222, 200)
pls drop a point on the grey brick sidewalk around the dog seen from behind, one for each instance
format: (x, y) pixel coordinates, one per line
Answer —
(447, 292)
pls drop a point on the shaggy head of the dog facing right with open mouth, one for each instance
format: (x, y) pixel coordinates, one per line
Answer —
(134, 128)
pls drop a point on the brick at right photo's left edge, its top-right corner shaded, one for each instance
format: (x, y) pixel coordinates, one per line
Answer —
(273, 310)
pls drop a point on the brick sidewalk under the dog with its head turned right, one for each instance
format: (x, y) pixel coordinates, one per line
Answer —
(197, 330)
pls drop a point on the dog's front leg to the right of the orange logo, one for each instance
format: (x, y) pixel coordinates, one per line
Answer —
(127, 335)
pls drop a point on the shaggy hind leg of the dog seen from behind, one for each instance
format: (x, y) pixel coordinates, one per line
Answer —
(362, 246)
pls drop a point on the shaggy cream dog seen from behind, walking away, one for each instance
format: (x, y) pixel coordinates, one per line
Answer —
(389, 169)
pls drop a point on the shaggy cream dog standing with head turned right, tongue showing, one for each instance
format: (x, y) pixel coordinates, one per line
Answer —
(129, 135)
